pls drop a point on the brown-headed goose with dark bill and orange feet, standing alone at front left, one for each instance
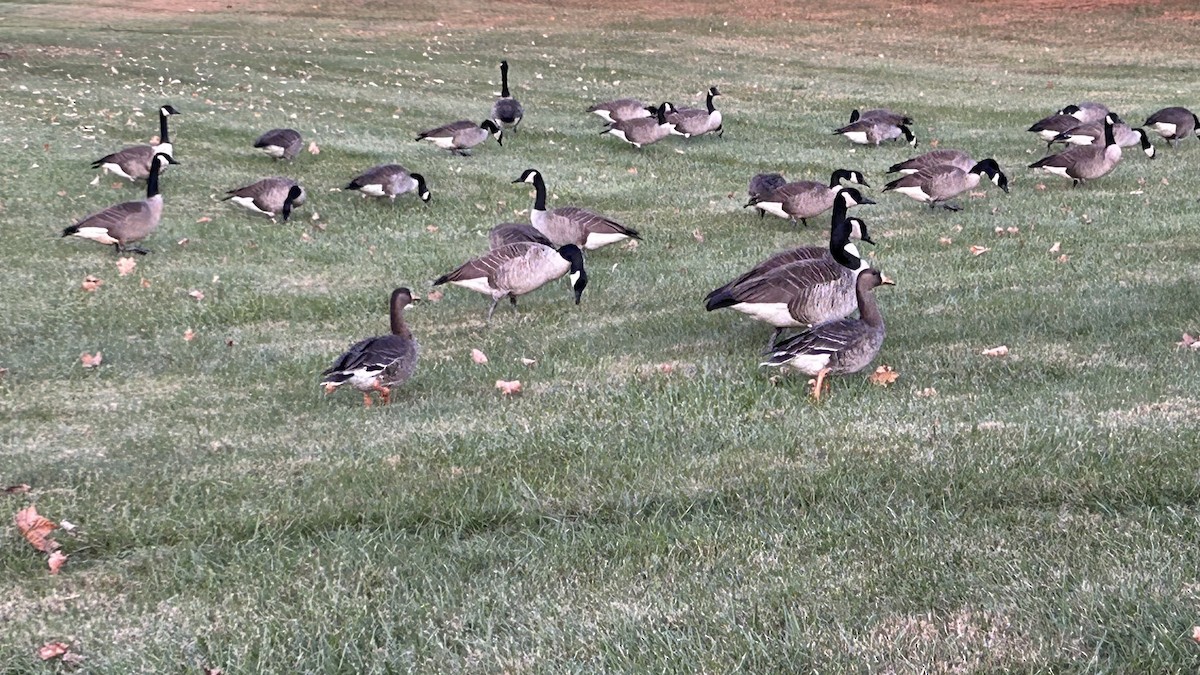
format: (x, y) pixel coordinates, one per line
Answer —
(381, 363)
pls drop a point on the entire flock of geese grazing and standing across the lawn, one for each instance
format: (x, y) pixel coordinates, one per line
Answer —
(814, 291)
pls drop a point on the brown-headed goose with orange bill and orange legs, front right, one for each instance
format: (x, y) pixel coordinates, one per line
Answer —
(841, 347)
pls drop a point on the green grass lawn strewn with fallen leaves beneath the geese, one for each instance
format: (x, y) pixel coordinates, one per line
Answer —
(1030, 513)
